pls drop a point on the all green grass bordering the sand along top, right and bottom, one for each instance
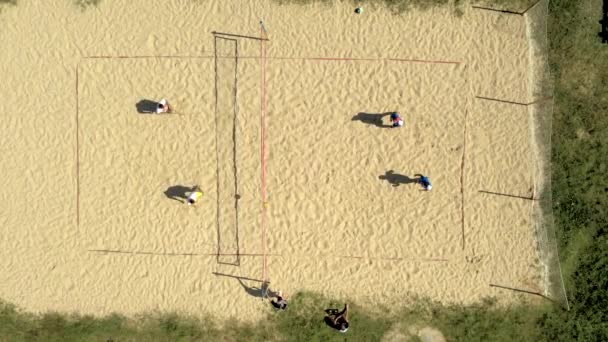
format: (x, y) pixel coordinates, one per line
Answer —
(579, 63)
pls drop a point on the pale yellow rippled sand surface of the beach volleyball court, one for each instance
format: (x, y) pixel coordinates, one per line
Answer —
(325, 203)
